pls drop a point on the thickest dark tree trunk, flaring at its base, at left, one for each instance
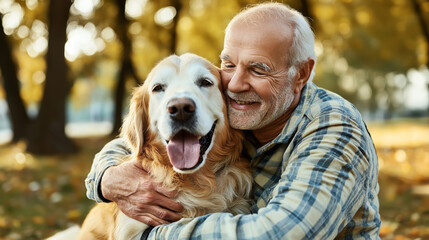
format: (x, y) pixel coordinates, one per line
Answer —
(47, 136)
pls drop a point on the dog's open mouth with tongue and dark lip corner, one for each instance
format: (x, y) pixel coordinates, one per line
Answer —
(186, 151)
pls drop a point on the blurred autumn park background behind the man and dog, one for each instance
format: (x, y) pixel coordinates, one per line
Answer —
(67, 68)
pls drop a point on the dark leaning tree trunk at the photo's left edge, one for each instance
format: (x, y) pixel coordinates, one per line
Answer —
(18, 115)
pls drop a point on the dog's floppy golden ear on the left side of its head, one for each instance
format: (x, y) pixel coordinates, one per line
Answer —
(136, 123)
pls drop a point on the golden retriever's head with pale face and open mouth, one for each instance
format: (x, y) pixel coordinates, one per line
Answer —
(181, 104)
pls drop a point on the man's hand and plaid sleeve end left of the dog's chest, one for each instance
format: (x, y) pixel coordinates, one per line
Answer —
(128, 185)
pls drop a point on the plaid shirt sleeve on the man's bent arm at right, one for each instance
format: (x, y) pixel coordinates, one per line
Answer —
(322, 186)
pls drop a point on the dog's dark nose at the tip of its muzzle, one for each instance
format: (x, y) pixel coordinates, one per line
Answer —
(181, 109)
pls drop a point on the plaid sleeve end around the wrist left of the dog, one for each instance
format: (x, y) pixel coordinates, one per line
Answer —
(112, 154)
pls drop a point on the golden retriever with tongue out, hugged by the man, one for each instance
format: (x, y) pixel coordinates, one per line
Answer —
(177, 127)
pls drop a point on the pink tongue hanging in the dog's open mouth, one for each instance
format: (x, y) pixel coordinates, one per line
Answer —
(184, 150)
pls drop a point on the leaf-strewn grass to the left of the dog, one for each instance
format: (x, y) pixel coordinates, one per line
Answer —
(41, 195)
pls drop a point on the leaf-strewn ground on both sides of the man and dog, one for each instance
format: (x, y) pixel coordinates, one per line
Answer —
(41, 195)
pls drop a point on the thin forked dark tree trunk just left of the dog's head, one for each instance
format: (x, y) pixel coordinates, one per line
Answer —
(127, 67)
